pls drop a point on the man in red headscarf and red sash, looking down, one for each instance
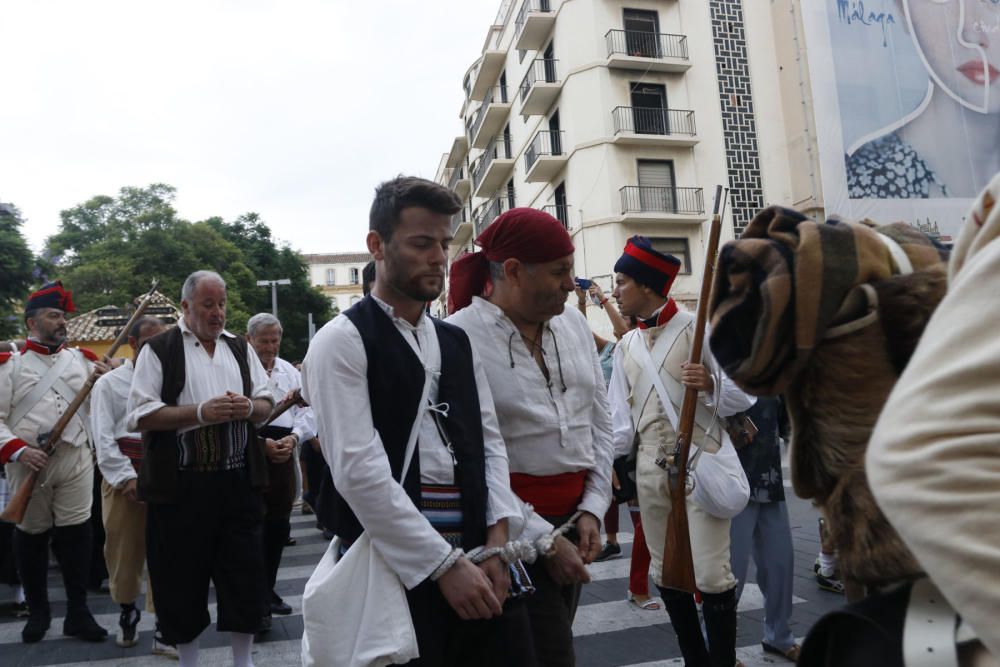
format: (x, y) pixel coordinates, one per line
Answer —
(551, 404)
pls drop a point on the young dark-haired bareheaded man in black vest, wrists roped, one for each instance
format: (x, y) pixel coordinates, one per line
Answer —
(364, 376)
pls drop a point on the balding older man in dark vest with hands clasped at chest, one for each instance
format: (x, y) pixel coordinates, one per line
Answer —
(196, 392)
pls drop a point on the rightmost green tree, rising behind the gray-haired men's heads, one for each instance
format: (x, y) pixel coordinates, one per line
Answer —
(268, 261)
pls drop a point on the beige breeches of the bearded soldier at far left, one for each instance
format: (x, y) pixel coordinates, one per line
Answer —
(63, 493)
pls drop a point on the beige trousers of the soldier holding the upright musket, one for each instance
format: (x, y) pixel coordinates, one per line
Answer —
(709, 534)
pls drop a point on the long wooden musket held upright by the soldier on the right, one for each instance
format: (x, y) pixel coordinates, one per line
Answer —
(678, 563)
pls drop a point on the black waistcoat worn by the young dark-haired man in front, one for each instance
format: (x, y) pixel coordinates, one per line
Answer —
(395, 384)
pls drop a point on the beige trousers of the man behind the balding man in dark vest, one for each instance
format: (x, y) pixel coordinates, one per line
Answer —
(124, 545)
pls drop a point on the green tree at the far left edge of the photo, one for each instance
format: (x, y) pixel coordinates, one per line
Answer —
(17, 264)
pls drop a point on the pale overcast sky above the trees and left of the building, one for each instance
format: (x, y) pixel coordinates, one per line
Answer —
(293, 109)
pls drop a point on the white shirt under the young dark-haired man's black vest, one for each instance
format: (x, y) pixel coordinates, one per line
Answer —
(335, 384)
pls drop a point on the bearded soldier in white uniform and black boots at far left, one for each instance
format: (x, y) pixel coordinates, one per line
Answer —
(36, 387)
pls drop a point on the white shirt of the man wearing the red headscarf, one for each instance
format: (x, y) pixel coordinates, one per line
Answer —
(547, 430)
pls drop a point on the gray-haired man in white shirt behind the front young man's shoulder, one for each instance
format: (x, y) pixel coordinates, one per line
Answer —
(282, 437)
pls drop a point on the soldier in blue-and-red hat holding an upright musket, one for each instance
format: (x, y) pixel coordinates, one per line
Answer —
(645, 427)
